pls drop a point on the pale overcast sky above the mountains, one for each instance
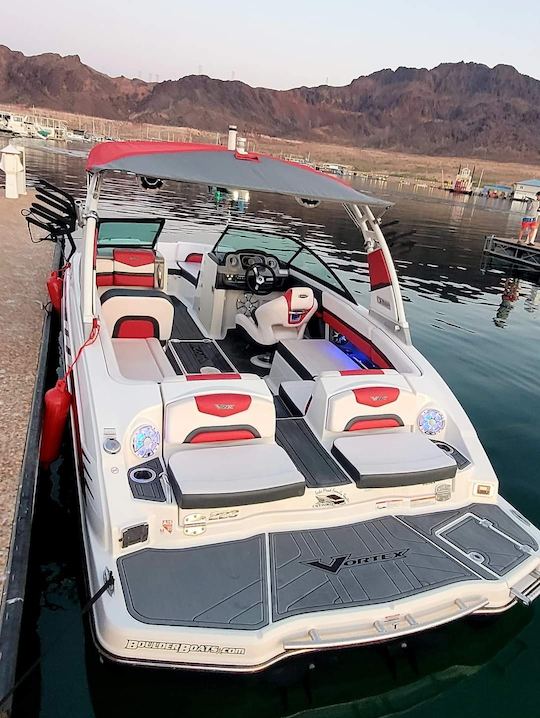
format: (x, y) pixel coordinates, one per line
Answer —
(276, 43)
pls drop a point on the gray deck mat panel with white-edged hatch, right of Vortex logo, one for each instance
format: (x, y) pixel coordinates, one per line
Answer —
(495, 552)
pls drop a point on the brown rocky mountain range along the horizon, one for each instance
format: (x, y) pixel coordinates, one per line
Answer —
(453, 109)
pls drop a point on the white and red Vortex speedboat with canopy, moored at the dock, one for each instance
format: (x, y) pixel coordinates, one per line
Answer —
(265, 467)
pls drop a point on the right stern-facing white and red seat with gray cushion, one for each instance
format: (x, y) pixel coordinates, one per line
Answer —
(367, 418)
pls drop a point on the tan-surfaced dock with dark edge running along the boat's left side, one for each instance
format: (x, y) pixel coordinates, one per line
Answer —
(23, 273)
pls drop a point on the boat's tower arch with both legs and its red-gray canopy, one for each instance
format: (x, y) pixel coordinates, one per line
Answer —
(214, 165)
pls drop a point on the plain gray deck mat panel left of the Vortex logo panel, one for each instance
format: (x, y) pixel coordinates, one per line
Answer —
(227, 582)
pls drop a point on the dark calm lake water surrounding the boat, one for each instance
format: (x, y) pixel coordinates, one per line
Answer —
(480, 327)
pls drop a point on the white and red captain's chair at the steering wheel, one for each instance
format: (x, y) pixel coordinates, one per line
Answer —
(285, 317)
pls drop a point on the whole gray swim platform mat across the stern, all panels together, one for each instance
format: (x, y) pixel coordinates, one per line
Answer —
(224, 585)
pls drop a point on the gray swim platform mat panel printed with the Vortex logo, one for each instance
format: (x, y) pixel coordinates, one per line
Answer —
(357, 565)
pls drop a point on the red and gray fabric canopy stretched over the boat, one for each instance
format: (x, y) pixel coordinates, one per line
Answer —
(217, 166)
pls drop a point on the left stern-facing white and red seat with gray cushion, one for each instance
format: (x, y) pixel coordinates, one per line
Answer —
(219, 440)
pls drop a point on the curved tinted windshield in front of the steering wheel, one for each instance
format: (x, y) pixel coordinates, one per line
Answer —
(290, 252)
